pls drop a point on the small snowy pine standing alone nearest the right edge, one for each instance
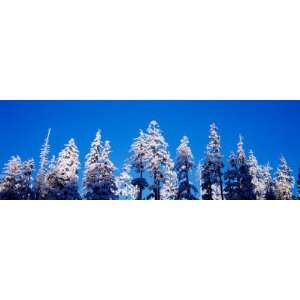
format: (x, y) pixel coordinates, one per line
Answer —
(284, 181)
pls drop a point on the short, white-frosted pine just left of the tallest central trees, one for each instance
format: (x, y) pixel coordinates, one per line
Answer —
(125, 189)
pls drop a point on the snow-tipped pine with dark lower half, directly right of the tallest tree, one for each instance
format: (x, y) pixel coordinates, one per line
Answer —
(183, 166)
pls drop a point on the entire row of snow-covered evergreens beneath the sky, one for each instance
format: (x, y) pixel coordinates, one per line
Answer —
(149, 173)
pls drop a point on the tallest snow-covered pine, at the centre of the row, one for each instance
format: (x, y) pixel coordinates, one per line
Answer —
(158, 158)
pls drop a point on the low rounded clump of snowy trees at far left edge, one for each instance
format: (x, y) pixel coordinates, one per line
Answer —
(16, 183)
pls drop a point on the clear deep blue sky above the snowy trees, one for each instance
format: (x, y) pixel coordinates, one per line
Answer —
(270, 128)
